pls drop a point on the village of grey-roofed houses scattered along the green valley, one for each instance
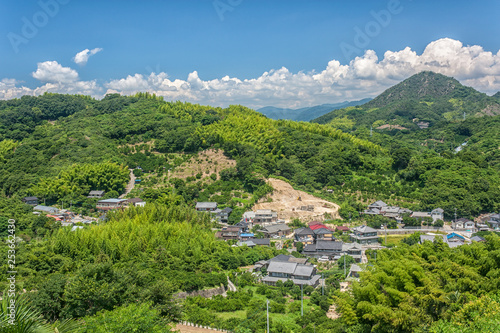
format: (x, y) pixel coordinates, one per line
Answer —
(315, 241)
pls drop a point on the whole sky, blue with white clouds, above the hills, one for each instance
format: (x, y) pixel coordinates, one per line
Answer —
(190, 46)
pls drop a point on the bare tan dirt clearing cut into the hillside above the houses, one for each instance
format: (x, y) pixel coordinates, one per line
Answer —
(285, 201)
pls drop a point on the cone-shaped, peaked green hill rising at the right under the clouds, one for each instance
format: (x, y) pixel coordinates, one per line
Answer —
(422, 100)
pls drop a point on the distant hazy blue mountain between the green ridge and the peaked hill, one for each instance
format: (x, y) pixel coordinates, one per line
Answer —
(307, 113)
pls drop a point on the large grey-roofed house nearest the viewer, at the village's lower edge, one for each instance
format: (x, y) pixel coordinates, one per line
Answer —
(299, 274)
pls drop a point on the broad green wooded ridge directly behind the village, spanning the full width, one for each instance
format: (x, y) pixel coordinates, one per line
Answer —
(59, 147)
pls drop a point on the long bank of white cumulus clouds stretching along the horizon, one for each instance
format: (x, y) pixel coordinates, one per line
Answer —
(364, 76)
